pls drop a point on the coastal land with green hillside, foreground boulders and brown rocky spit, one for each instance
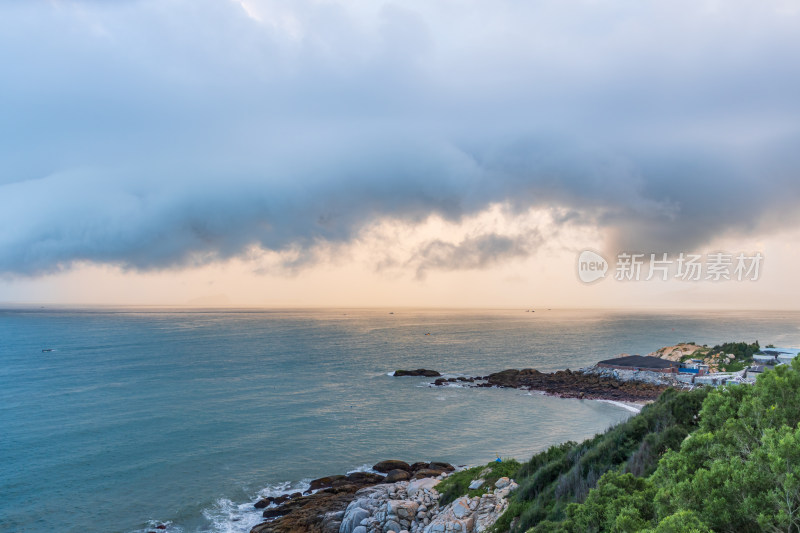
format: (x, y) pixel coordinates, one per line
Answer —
(696, 460)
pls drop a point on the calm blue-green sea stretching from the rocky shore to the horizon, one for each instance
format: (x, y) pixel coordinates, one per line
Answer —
(142, 416)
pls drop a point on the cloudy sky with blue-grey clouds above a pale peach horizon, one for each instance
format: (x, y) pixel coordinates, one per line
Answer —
(381, 153)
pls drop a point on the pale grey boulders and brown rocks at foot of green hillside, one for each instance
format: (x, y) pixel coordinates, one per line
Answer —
(395, 497)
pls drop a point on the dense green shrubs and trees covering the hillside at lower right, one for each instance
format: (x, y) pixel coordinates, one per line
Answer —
(727, 460)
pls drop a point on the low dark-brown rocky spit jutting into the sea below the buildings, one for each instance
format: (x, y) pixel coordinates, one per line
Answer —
(589, 384)
